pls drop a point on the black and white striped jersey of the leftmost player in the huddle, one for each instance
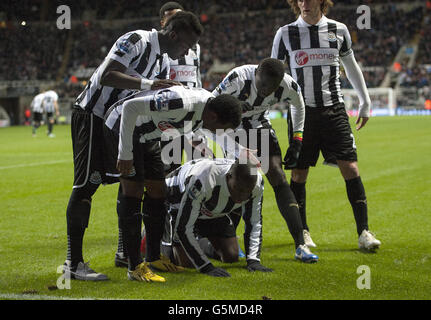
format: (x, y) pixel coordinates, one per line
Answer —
(139, 52)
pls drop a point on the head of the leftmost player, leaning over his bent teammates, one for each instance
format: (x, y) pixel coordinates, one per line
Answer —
(180, 33)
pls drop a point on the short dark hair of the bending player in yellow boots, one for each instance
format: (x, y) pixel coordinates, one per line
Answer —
(227, 108)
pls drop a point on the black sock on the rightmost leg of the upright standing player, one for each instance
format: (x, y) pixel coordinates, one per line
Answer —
(358, 200)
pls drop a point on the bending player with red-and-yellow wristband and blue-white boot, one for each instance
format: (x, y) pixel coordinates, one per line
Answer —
(259, 87)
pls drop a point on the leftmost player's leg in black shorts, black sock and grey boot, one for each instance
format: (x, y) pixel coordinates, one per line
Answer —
(86, 130)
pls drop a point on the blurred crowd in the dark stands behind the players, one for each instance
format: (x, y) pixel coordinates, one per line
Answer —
(238, 32)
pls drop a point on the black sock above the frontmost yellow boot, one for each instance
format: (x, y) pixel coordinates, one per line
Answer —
(154, 220)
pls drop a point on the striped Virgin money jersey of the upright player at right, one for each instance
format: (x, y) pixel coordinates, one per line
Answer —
(313, 54)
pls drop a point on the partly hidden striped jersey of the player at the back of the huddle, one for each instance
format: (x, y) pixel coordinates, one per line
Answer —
(187, 69)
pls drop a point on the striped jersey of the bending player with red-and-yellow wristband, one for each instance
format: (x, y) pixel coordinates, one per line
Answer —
(241, 83)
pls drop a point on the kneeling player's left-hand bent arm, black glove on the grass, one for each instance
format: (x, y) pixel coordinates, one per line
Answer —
(188, 213)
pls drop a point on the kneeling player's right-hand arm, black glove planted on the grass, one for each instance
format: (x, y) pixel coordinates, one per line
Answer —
(252, 215)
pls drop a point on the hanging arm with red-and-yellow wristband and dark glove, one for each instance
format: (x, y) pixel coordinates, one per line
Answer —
(297, 118)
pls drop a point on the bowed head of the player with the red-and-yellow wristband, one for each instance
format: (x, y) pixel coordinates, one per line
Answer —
(269, 75)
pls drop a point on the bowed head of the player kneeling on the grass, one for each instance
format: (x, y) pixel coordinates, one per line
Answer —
(241, 180)
